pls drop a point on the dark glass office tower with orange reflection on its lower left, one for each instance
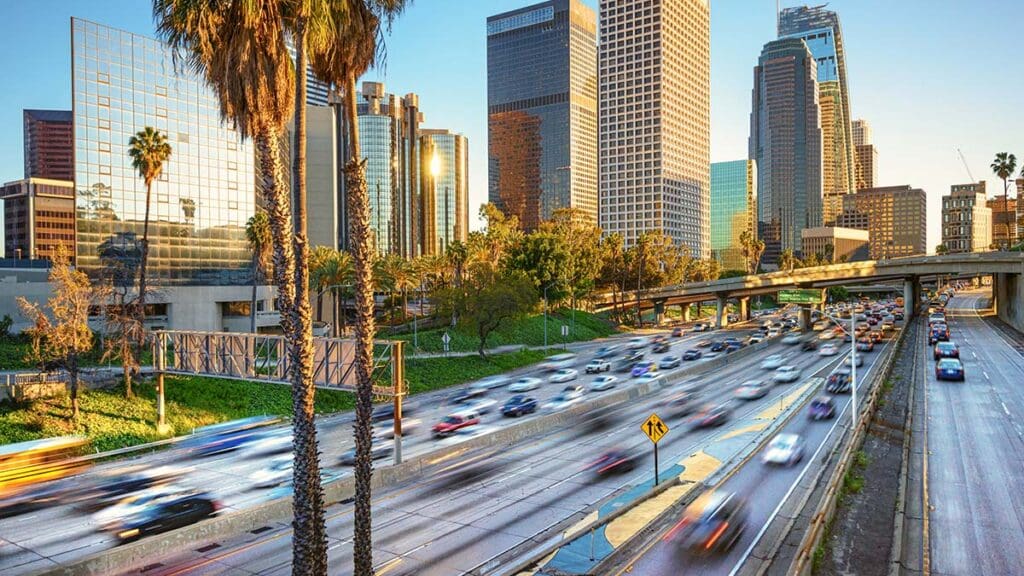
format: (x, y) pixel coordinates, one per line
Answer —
(542, 110)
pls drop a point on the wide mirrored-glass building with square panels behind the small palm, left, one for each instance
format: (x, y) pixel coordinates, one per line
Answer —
(122, 84)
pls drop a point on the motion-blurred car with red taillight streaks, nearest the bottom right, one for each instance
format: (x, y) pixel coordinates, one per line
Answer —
(712, 524)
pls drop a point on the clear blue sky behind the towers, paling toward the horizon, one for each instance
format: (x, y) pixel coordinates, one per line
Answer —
(929, 75)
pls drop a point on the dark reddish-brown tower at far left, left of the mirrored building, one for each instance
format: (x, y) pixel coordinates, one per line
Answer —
(49, 145)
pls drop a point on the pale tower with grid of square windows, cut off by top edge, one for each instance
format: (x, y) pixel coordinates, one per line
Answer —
(655, 109)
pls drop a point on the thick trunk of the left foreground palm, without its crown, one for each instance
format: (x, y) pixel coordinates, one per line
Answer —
(310, 541)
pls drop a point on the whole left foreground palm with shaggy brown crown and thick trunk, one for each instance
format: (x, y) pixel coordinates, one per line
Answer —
(238, 47)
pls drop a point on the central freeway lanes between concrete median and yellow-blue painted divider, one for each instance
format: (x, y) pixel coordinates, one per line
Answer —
(484, 505)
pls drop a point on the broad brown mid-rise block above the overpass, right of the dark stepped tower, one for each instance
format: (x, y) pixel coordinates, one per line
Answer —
(895, 217)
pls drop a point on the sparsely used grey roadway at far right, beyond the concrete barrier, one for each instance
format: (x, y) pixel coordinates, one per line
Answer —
(975, 480)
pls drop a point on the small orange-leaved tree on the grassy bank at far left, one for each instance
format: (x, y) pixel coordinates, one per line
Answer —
(59, 339)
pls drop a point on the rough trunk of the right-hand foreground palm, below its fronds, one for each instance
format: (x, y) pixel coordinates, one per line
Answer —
(363, 261)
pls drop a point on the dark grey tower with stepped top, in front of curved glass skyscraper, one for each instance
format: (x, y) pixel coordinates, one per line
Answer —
(786, 142)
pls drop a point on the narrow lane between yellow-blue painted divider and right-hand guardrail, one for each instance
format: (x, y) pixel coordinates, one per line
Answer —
(765, 488)
